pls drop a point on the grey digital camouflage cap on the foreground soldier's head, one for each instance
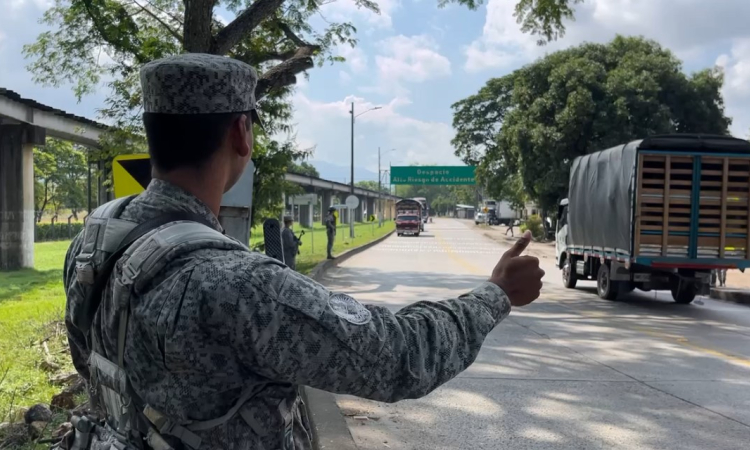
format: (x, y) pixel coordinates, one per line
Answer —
(199, 83)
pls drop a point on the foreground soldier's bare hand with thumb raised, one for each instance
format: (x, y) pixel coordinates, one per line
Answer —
(519, 276)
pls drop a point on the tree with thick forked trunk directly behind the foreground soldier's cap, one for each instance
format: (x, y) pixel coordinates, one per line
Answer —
(90, 41)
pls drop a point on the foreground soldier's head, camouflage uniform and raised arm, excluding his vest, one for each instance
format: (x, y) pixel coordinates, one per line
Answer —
(218, 325)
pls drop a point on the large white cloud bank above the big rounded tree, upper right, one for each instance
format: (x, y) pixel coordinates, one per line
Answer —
(693, 29)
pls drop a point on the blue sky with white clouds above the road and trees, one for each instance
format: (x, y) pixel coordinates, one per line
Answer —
(414, 60)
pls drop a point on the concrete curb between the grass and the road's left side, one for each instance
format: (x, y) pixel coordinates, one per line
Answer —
(329, 428)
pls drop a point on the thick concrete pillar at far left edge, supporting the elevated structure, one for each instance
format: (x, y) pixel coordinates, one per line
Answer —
(17, 194)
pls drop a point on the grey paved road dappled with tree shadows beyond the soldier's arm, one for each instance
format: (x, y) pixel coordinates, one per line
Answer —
(570, 371)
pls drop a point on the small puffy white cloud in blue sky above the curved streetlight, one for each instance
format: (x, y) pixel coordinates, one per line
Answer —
(411, 59)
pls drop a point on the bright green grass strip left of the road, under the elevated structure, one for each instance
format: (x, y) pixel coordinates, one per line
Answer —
(32, 305)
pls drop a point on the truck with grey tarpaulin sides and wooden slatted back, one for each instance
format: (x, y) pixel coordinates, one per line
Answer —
(656, 214)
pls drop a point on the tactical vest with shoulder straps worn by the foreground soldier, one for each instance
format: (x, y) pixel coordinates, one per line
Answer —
(144, 249)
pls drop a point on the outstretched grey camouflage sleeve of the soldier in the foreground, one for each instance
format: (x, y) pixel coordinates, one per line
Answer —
(290, 328)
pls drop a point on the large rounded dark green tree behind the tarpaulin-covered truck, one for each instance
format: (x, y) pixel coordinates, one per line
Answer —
(524, 129)
